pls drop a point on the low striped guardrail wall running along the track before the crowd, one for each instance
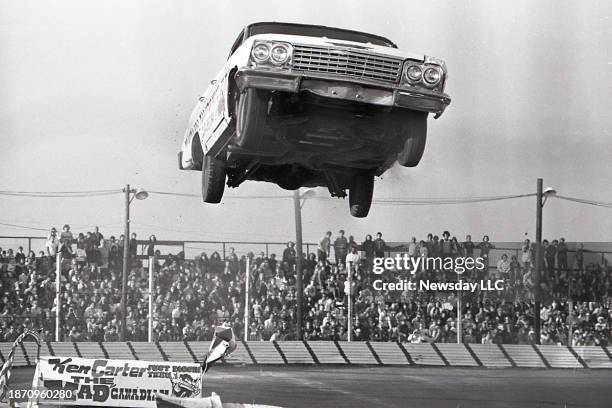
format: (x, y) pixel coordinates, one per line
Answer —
(340, 353)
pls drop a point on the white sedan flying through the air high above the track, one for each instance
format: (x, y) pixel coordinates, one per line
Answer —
(305, 105)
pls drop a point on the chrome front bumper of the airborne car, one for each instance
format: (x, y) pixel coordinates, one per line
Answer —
(352, 89)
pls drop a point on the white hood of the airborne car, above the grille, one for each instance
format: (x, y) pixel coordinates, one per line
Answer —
(331, 42)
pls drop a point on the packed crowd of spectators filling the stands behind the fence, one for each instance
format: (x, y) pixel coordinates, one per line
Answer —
(191, 296)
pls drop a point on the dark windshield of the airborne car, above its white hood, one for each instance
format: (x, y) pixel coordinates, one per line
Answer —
(317, 31)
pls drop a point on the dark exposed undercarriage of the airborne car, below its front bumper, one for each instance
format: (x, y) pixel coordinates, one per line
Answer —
(307, 140)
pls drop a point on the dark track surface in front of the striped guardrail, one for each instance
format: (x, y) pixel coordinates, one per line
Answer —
(401, 387)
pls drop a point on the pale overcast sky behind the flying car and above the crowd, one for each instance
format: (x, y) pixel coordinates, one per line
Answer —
(96, 94)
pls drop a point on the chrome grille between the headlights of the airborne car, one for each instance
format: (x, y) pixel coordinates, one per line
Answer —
(346, 63)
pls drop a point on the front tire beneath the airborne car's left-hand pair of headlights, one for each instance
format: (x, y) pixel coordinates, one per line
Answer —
(251, 112)
